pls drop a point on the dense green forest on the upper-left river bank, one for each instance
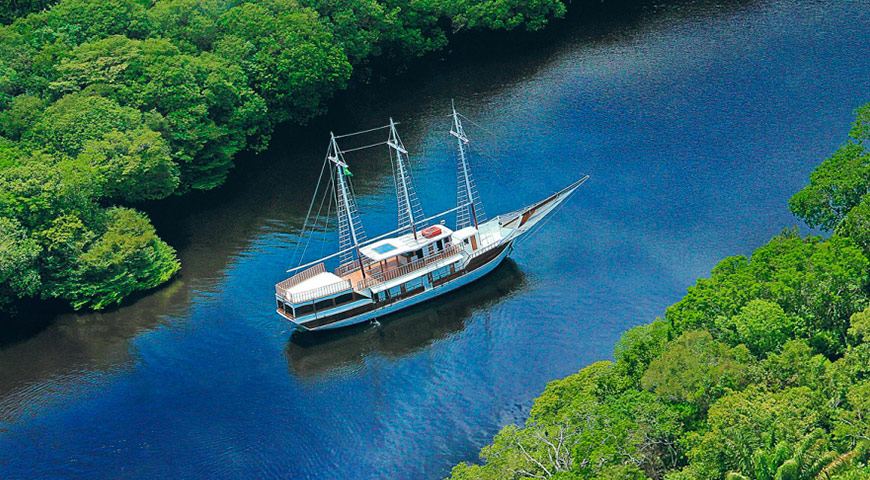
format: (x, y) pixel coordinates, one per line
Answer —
(105, 104)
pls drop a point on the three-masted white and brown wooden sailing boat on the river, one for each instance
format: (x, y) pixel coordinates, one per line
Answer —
(411, 264)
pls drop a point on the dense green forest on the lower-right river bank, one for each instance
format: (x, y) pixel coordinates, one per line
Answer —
(761, 372)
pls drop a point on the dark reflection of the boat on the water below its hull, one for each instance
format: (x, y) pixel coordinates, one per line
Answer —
(335, 352)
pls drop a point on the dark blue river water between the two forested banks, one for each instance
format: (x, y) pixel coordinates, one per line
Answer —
(696, 122)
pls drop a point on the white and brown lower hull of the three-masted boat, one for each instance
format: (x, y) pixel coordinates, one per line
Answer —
(367, 313)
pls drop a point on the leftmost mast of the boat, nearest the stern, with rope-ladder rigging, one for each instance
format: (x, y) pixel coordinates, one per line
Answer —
(349, 228)
